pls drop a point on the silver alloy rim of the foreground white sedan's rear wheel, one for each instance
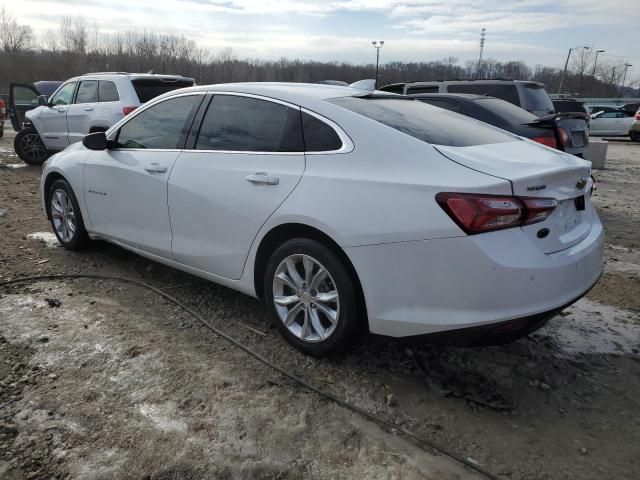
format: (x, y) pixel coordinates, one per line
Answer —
(306, 298)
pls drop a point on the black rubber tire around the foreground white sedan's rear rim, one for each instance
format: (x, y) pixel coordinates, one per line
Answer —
(339, 279)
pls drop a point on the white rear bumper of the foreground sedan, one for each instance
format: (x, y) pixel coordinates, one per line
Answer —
(422, 287)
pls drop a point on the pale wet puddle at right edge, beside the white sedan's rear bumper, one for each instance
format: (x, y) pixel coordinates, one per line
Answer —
(594, 328)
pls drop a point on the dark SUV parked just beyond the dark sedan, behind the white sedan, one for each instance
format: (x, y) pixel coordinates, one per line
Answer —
(528, 95)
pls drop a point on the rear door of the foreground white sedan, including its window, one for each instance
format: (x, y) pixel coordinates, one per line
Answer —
(247, 158)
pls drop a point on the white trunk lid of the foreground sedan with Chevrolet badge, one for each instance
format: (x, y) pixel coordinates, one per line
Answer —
(536, 171)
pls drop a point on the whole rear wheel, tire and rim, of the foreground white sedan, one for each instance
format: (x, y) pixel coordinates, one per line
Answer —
(312, 297)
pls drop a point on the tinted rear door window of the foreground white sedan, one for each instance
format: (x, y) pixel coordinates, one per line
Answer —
(243, 124)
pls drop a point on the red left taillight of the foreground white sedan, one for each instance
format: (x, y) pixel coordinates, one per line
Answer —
(478, 213)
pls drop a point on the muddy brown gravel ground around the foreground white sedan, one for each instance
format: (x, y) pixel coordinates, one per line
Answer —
(101, 380)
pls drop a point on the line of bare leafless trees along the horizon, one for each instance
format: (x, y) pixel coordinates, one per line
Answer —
(77, 47)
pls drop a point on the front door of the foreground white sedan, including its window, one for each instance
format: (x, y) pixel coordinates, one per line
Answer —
(125, 187)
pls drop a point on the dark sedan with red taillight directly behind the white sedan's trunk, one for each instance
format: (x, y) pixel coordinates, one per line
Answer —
(566, 132)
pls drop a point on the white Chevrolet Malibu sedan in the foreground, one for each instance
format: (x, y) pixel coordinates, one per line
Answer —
(342, 208)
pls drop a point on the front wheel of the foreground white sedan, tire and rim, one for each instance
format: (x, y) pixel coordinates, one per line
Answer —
(65, 215)
